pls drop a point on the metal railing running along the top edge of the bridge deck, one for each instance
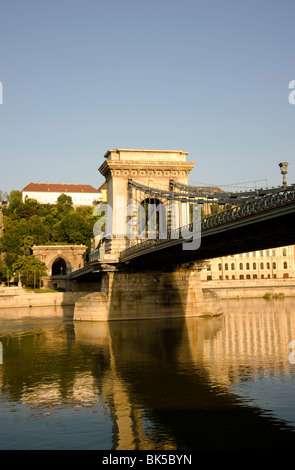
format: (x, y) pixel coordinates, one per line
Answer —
(252, 207)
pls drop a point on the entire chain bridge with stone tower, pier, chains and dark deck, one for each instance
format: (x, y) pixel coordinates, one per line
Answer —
(157, 231)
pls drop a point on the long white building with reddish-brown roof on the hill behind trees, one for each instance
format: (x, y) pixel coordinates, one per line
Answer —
(47, 193)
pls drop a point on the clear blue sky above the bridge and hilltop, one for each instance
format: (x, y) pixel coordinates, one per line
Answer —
(208, 77)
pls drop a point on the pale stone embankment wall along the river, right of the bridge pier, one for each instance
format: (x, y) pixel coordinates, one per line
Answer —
(258, 288)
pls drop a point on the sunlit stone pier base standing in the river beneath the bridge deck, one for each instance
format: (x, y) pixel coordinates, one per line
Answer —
(149, 294)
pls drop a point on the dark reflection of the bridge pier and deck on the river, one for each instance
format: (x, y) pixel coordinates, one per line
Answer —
(174, 385)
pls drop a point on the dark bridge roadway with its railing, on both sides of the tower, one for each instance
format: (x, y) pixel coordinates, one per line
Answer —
(265, 223)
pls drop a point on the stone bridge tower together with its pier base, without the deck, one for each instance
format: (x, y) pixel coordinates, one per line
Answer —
(141, 291)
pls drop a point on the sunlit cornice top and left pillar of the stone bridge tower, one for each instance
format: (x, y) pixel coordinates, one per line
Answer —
(154, 168)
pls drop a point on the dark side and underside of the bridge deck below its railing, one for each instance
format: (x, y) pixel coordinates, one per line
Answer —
(258, 229)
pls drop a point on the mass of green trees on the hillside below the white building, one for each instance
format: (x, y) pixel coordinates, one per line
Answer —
(30, 223)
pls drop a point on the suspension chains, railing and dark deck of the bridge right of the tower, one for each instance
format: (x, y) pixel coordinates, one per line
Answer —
(242, 222)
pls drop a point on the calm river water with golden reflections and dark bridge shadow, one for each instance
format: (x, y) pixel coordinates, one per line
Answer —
(196, 384)
